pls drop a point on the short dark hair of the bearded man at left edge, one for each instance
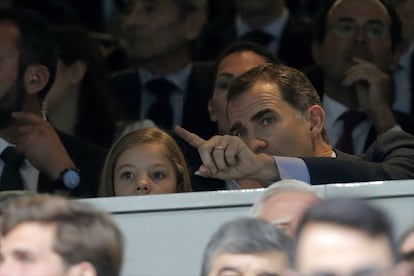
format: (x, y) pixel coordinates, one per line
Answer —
(35, 42)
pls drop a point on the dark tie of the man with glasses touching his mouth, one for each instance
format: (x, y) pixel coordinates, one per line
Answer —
(351, 119)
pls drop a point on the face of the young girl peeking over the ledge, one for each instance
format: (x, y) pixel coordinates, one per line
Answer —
(144, 169)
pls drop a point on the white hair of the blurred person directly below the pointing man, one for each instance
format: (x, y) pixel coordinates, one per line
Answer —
(285, 185)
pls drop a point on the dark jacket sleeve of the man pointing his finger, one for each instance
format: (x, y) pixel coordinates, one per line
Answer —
(390, 157)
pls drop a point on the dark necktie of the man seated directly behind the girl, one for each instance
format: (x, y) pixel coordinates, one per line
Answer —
(161, 112)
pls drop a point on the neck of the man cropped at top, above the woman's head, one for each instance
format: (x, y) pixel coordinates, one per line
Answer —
(258, 20)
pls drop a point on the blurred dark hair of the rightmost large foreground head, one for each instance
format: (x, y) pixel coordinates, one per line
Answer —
(350, 212)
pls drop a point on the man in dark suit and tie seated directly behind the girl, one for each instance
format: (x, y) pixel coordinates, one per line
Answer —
(165, 85)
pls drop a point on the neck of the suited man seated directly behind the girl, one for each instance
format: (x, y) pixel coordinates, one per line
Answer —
(167, 64)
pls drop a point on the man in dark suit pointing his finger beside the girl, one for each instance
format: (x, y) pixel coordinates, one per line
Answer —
(277, 126)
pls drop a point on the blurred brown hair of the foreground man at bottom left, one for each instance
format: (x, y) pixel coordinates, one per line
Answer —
(83, 233)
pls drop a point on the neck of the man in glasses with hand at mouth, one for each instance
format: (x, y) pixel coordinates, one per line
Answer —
(342, 94)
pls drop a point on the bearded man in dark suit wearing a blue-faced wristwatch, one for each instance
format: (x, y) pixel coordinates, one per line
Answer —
(53, 162)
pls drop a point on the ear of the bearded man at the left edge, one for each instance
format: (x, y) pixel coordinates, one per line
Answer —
(35, 78)
